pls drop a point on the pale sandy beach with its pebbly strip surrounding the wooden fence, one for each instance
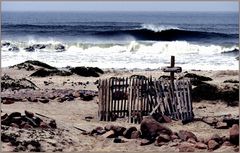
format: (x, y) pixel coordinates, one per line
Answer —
(81, 113)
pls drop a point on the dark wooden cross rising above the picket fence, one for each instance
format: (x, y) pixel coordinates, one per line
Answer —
(172, 69)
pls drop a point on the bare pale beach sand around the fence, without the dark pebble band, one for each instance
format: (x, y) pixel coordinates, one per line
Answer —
(72, 113)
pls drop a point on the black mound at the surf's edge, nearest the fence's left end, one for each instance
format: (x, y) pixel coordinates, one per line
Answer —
(87, 71)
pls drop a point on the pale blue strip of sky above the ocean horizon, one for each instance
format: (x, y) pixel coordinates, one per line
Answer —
(120, 6)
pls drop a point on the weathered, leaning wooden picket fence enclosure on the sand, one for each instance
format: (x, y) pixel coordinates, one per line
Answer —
(136, 97)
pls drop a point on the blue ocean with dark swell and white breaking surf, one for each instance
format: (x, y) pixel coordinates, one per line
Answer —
(131, 40)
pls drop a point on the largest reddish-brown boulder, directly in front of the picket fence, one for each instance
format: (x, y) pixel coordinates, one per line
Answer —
(150, 128)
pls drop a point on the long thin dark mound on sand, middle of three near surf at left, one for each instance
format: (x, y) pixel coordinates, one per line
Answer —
(44, 73)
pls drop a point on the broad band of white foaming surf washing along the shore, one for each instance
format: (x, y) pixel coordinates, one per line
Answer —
(131, 55)
